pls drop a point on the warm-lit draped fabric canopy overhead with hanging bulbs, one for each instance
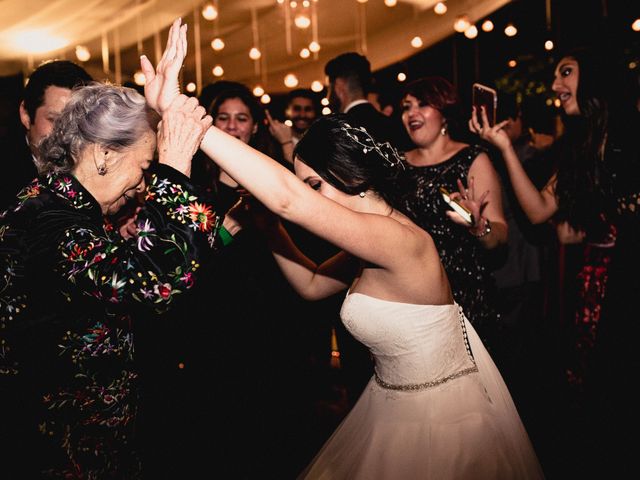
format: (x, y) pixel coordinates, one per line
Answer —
(115, 32)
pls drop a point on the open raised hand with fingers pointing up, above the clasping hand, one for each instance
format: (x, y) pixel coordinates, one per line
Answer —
(162, 85)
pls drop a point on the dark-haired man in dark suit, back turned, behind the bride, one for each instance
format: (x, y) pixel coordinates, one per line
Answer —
(349, 80)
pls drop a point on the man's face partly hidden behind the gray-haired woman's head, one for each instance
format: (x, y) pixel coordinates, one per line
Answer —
(55, 98)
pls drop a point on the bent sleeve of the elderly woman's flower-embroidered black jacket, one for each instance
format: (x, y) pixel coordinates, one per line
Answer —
(176, 228)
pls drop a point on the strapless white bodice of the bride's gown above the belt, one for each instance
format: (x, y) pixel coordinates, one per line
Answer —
(411, 344)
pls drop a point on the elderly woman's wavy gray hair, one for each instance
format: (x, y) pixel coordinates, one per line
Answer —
(111, 116)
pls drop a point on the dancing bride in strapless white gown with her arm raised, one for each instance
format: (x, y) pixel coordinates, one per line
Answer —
(437, 408)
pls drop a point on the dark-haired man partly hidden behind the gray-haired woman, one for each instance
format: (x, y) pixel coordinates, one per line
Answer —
(45, 95)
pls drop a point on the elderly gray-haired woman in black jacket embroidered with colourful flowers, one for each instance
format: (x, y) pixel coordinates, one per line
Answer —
(71, 281)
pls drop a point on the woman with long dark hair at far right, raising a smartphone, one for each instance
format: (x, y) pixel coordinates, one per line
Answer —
(594, 198)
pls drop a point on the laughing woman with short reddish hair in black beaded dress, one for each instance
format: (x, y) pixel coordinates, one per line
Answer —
(428, 113)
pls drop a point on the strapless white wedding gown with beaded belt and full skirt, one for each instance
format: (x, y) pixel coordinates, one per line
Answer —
(437, 407)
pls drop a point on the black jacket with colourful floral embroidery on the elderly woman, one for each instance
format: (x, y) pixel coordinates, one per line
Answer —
(70, 284)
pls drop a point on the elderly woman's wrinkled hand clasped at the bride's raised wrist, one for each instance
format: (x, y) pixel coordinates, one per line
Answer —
(180, 132)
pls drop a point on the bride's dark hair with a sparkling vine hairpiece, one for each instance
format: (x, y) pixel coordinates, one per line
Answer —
(348, 158)
